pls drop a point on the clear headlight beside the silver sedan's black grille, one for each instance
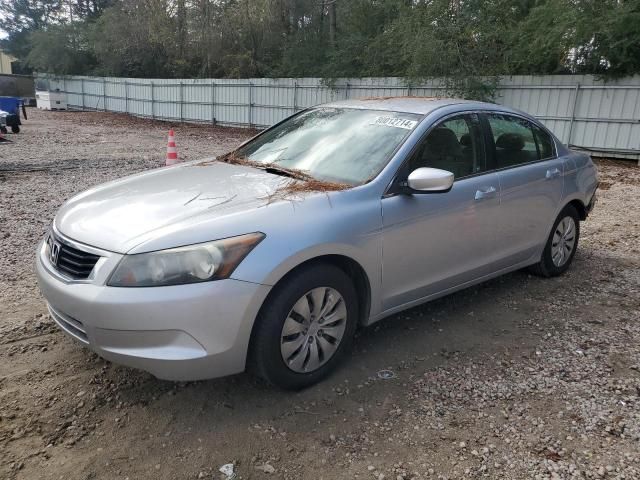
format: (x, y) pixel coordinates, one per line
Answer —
(191, 264)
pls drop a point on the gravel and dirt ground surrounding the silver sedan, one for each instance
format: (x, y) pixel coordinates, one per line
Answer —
(518, 378)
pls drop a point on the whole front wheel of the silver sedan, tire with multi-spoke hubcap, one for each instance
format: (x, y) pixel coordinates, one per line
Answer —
(305, 327)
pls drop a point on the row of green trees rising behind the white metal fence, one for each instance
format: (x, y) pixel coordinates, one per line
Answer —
(468, 43)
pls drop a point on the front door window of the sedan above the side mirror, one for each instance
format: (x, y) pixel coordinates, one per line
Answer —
(454, 145)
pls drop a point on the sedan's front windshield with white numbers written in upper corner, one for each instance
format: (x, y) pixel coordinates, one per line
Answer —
(333, 144)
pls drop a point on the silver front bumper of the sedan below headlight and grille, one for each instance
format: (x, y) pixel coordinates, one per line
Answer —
(182, 332)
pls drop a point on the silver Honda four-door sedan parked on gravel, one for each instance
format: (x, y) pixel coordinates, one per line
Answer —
(269, 258)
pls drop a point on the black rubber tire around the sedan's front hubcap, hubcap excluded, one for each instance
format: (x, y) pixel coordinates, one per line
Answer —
(265, 357)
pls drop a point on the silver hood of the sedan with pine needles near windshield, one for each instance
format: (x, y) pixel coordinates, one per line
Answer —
(120, 215)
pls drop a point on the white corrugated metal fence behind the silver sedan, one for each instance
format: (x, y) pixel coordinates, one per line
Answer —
(581, 110)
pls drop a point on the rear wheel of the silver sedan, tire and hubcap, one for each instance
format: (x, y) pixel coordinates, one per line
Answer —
(561, 245)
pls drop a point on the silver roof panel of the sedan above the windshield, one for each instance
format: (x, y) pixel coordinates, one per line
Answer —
(416, 105)
